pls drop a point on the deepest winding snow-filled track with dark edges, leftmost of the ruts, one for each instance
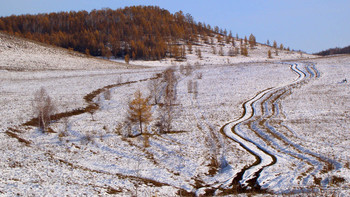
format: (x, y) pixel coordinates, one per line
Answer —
(247, 178)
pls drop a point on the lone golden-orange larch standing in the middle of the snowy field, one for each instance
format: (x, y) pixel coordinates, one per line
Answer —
(139, 110)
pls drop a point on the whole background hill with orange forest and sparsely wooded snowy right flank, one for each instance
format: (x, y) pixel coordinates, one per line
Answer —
(136, 33)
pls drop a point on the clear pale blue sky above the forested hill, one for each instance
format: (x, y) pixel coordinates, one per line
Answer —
(308, 25)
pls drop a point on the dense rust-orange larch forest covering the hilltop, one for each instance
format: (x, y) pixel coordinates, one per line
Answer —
(141, 32)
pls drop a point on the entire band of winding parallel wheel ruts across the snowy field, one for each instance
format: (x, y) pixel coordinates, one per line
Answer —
(257, 132)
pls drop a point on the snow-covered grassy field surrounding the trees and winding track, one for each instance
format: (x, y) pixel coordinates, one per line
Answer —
(306, 115)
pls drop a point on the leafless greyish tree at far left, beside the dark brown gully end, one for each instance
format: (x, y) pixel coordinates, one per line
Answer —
(43, 108)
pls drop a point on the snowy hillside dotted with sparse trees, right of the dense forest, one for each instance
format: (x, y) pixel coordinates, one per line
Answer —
(210, 54)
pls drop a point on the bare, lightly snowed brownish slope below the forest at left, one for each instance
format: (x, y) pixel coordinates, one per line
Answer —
(22, 54)
